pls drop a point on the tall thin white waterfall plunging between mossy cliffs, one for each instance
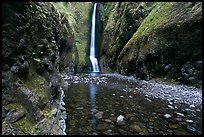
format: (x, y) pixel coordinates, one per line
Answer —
(92, 57)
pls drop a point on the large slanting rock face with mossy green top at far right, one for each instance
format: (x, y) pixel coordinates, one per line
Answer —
(167, 44)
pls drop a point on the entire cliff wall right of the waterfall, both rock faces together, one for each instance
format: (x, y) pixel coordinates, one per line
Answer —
(161, 40)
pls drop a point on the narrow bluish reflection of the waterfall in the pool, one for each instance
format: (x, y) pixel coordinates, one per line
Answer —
(92, 91)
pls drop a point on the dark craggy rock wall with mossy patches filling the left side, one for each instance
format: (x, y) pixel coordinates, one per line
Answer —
(37, 44)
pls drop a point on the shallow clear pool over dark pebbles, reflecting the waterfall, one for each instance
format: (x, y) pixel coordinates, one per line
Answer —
(94, 106)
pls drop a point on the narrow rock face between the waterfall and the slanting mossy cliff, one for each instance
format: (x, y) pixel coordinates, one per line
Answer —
(121, 20)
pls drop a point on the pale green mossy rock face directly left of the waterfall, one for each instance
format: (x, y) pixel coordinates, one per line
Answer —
(79, 16)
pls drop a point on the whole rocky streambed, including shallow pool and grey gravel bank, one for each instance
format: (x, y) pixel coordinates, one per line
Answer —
(112, 104)
